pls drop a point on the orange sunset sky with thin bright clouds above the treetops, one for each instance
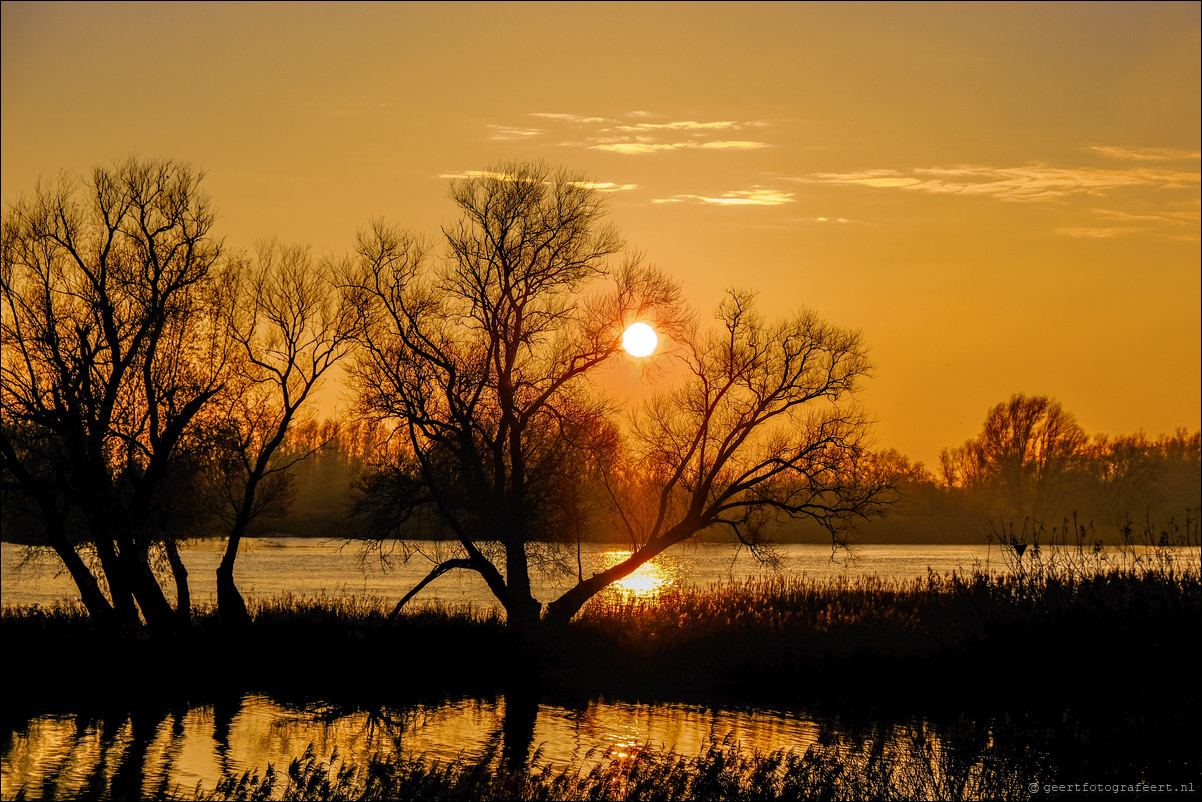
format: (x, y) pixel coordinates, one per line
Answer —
(1004, 198)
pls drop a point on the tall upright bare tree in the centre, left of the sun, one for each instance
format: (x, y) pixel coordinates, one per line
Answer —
(483, 360)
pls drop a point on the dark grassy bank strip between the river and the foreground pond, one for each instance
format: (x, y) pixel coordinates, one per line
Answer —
(1009, 639)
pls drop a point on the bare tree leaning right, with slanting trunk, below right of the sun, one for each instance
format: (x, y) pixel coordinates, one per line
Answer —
(764, 426)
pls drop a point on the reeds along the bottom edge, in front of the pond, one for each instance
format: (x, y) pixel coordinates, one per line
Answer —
(913, 767)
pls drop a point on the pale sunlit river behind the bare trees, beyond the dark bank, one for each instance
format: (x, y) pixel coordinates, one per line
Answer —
(310, 567)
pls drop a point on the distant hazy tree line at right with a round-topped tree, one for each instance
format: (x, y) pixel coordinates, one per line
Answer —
(1034, 473)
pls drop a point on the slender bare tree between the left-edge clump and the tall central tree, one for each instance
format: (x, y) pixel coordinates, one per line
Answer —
(289, 329)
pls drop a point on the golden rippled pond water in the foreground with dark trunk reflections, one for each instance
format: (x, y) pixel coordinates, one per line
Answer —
(150, 753)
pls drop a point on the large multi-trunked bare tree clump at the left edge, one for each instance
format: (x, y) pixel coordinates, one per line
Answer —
(109, 357)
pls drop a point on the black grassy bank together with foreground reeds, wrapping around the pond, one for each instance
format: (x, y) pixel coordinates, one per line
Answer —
(1042, 679)
